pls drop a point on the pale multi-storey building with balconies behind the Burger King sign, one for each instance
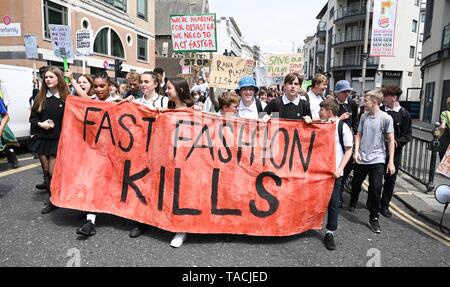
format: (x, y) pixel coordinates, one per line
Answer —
(340, 39)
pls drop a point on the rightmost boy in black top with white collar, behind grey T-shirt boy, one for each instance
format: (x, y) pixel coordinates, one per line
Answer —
(402, 134)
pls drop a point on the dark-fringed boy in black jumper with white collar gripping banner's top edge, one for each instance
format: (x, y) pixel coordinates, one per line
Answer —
(290, 105)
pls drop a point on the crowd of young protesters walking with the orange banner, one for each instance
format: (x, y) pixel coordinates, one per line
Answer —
(368, 141)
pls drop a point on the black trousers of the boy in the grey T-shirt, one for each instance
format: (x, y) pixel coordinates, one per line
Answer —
(376, 173)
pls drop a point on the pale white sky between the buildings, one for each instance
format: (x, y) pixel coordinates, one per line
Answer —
(275, 25)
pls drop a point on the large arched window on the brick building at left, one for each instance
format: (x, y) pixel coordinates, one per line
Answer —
(108, 43)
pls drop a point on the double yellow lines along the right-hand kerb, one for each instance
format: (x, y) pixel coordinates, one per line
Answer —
(416, 223)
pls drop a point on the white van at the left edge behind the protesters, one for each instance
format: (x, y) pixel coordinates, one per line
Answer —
(18, 82)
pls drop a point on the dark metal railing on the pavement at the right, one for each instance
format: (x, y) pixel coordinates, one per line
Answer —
(420, 155)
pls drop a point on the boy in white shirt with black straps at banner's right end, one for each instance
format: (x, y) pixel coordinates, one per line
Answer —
(344, 143)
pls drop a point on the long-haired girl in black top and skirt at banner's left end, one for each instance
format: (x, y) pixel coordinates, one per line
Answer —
(46, 122)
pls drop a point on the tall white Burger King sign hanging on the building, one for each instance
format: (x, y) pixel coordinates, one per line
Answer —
(383, 30)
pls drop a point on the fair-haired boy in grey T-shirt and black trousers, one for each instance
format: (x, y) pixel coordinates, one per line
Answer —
(370, 154)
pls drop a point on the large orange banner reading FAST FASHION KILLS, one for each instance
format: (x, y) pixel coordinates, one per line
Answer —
(186, 171)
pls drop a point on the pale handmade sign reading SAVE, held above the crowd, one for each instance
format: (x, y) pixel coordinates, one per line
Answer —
(283, 64)
